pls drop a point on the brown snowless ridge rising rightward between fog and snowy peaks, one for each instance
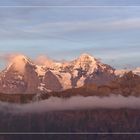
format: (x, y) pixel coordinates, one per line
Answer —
(127, 85)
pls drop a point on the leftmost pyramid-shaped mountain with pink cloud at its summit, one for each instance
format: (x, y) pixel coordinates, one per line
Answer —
(19, 77)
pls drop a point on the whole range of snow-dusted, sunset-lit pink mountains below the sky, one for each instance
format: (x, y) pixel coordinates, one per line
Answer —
(24, 76)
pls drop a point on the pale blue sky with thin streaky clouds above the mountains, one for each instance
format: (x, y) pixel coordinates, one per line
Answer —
(63, 29)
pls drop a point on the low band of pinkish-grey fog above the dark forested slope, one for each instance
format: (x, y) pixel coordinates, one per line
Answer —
(73, 103)
